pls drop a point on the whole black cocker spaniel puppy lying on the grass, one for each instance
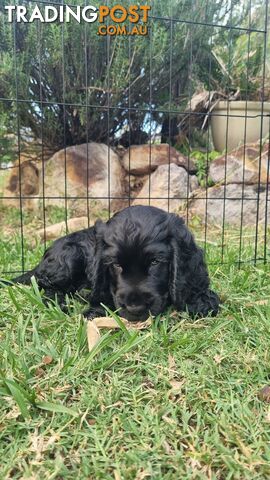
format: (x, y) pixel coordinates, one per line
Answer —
(142, 260)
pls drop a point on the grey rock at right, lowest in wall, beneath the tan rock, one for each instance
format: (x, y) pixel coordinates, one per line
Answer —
(233, 204)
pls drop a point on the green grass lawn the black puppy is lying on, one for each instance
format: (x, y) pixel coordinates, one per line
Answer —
(176, 401)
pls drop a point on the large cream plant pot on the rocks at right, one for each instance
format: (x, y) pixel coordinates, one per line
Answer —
(245, 123)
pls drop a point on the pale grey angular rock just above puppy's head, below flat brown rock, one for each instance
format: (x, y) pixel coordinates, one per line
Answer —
(156, 186)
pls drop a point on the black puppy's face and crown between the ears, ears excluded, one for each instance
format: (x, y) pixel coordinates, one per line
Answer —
(136, 253)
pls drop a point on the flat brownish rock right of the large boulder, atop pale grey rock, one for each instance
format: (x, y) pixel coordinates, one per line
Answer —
(144, 159)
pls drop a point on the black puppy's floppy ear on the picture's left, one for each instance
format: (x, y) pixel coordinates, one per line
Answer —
(96, 271)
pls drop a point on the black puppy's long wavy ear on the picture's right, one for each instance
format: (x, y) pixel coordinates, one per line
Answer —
(189, 280)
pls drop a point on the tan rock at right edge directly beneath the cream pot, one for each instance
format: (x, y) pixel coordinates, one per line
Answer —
(241, 165)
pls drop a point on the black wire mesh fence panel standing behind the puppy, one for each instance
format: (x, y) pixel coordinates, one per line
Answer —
(92, 123)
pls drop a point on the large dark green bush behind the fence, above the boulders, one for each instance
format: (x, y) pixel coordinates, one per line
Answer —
(73, 85)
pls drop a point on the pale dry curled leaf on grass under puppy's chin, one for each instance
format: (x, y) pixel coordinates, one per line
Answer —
(93, 333)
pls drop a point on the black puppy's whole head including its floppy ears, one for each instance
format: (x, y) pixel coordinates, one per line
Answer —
(149, 260)
